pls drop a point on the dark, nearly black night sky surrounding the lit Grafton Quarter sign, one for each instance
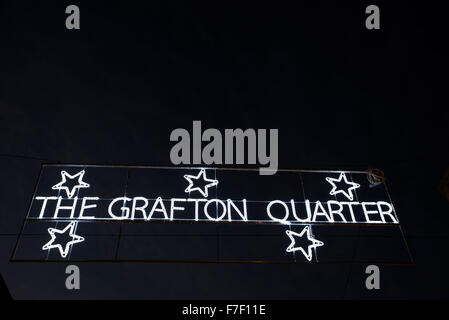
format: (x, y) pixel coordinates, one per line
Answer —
(342, 97)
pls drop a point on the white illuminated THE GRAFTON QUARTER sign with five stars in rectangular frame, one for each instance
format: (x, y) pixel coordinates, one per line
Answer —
(70, 198)
